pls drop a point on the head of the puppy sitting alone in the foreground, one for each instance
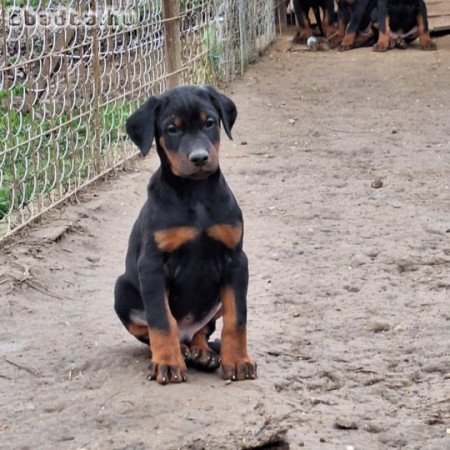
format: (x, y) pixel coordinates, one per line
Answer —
(185, 123)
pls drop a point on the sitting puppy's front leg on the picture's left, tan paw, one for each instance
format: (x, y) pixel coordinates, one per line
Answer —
(167, 363)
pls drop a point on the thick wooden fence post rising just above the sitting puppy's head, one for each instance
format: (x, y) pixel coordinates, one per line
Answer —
(172, 42)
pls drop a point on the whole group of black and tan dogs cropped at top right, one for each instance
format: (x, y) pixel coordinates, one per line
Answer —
(347, 24)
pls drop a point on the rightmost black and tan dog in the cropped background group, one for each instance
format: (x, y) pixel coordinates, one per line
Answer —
(401, 22)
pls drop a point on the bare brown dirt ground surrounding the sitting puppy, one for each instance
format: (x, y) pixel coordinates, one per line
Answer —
(349, 316)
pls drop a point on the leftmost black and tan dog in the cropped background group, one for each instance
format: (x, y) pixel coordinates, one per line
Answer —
(326, 25)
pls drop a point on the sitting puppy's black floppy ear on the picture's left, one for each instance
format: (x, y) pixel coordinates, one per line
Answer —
(141, 125)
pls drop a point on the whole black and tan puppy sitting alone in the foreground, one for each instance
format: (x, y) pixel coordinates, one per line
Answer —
(185, 265)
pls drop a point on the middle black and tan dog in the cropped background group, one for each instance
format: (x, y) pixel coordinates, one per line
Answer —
(356, 19)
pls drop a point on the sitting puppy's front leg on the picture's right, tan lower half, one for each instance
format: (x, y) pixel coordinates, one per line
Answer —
(235, 360)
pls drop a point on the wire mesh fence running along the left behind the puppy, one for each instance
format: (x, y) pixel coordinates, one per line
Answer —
(72, 71)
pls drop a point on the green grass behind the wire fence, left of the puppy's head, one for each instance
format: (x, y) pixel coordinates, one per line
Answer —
(43, 156)
